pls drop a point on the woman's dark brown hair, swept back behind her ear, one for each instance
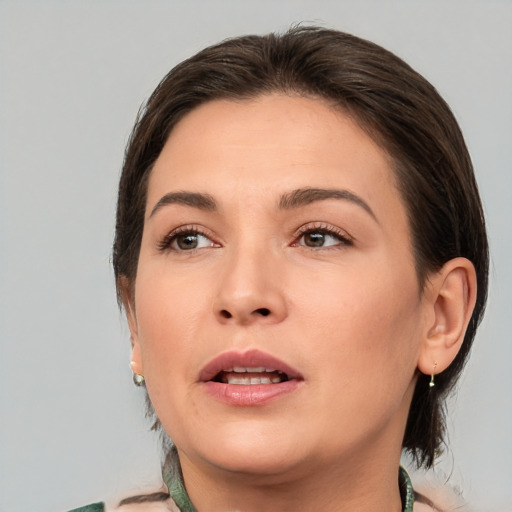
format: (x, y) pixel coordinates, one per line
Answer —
(397, 107)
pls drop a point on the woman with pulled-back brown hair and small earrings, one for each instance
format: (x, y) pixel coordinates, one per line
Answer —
(301, 254)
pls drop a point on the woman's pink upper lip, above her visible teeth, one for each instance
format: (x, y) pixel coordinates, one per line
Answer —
(249, 359)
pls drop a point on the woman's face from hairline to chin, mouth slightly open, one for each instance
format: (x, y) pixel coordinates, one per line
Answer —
(275, 239)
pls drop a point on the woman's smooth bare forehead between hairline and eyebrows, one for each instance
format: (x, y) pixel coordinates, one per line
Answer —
(271, 144)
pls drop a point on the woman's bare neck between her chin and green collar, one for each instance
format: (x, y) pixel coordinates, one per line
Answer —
(349, 487)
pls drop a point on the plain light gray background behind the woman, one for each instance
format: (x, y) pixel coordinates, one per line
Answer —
(72, 77)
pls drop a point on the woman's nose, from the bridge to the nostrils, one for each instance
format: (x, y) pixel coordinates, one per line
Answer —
(251, 290)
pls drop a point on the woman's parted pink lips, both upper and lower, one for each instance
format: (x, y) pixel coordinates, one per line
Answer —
(248, 395)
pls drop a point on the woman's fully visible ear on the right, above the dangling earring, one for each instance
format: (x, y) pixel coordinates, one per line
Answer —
(451, 296)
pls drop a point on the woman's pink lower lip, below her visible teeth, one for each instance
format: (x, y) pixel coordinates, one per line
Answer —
(250, 395)
